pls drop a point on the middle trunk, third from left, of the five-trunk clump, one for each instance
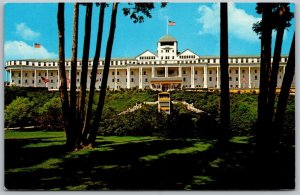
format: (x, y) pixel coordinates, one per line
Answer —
(84, 68)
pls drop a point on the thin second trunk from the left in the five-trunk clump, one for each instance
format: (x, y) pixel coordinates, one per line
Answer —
(74, 71)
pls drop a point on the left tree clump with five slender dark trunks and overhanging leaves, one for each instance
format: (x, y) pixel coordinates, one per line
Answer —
(76, 136)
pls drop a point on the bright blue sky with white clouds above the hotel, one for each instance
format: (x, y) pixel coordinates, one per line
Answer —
(197, 29)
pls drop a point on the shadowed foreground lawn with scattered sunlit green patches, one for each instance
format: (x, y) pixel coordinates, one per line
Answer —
(147, 164)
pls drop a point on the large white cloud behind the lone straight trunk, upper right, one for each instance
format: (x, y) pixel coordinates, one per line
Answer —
(239, 22)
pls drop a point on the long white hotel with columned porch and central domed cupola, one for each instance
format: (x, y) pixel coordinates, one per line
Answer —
(167, 68)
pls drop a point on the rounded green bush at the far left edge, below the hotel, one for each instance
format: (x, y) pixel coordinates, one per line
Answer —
(18, 113)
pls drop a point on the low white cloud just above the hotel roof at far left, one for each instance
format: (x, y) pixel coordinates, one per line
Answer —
(21, 50)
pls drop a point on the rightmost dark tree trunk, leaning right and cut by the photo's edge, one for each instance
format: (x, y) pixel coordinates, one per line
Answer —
(285, 88)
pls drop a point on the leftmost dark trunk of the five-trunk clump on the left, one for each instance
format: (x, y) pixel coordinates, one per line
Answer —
(62, 74)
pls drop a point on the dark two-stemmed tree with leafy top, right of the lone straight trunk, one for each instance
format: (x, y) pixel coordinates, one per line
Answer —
(274, 16)
